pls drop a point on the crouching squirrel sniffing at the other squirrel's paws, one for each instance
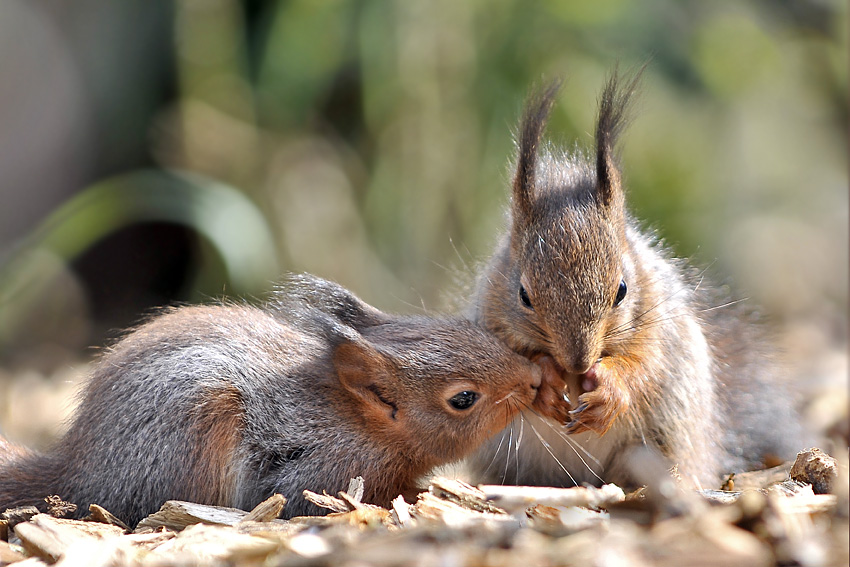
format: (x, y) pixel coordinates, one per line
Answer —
(227, 404)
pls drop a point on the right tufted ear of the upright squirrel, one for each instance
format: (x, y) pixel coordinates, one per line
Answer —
(613, 116)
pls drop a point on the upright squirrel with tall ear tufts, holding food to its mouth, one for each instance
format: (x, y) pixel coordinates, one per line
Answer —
(651, 356)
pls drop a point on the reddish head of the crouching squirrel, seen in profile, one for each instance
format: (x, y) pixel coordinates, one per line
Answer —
(433, 389)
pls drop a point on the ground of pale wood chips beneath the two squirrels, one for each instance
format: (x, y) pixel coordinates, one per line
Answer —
(789, 515)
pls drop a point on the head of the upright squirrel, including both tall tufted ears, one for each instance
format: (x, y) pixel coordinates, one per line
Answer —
(569, 277)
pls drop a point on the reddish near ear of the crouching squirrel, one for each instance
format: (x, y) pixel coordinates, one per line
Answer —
(362, 370)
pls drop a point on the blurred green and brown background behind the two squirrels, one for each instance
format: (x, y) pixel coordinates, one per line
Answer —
(160, 152)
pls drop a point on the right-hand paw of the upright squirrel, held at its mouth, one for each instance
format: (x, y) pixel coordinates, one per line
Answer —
(600, 404)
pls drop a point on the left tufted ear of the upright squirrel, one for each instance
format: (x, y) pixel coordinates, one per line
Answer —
(534, 118)
